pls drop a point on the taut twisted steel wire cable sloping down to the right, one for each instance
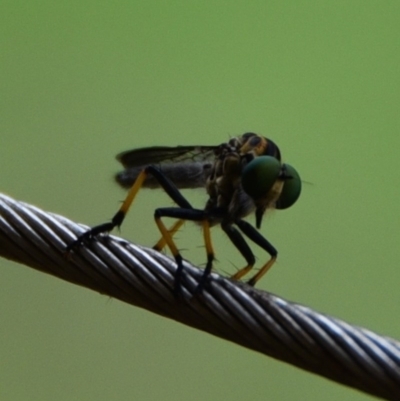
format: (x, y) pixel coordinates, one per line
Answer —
(231, 310)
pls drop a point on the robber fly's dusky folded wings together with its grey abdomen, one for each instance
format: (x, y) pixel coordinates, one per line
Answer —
(185, 166)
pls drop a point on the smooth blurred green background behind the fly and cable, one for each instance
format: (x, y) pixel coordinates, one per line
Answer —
(82, 81)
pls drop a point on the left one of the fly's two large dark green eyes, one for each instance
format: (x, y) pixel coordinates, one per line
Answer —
(259, 175)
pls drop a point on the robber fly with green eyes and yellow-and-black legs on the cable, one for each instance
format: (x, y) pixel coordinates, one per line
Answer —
(242, 176)
